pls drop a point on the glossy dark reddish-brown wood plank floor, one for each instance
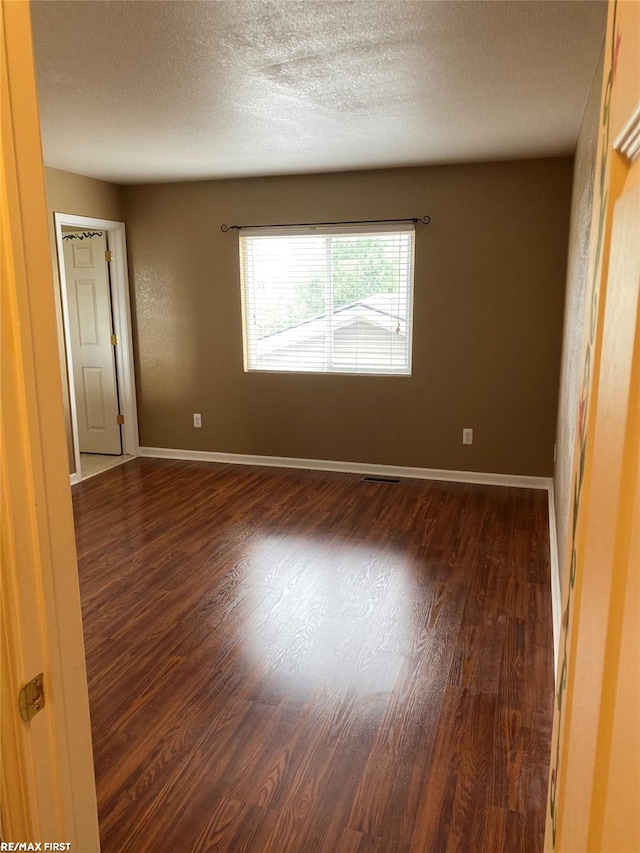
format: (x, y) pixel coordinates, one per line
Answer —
(284, 661)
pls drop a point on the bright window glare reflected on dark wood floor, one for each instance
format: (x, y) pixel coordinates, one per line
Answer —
(308, 623)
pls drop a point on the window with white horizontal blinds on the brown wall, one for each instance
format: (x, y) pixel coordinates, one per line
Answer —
(328, 300)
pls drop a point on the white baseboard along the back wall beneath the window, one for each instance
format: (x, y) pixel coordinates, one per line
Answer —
(513, 480)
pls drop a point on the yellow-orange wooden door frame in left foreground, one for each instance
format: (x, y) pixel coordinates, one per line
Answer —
(47, 783)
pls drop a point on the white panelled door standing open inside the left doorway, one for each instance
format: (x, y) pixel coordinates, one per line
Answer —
(91, 329)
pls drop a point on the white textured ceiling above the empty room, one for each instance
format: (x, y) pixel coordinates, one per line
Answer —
(159, 91)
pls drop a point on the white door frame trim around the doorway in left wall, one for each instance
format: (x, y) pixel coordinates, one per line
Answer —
(120, 303)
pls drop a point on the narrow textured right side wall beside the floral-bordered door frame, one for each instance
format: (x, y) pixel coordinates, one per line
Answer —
(577, 275)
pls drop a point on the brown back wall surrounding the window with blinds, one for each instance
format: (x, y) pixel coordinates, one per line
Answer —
(489, 295)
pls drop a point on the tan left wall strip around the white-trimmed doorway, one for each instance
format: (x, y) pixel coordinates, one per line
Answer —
(75, 194)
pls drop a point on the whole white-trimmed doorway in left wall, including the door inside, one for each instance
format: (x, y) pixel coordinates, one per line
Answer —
(98, 343)
